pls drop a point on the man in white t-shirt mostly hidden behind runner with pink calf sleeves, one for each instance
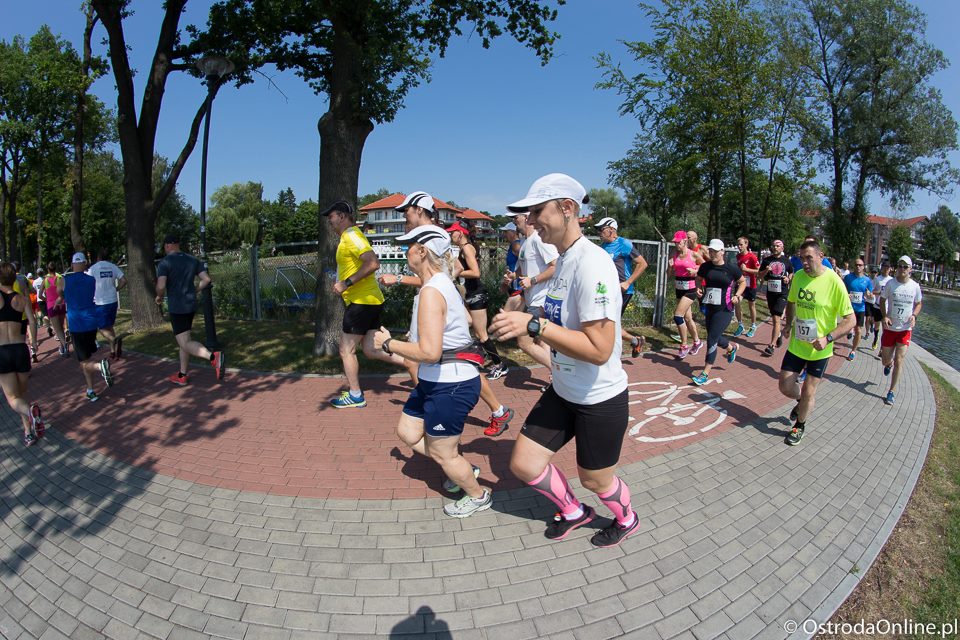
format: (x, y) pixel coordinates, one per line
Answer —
(535, 268)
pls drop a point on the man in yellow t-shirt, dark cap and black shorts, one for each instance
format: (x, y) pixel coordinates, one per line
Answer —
(356, 283)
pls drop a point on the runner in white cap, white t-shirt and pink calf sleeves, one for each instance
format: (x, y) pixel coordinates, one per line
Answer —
(587, 401)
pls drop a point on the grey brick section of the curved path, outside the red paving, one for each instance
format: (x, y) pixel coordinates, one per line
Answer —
(740, 534)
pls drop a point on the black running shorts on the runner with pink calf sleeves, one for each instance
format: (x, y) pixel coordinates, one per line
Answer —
(598, 428)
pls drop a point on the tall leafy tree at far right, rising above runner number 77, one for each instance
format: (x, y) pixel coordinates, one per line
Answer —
(877, 121)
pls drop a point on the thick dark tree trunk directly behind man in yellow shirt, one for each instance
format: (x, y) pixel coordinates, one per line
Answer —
(341, 146)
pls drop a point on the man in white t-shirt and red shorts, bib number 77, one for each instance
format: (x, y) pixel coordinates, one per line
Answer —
(901, 303)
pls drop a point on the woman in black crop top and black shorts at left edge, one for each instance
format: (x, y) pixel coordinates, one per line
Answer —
(15, 356)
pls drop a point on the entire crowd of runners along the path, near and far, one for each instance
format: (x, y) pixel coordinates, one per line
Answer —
(565, 301)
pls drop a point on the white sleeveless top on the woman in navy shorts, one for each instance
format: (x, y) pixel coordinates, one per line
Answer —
(456, 333)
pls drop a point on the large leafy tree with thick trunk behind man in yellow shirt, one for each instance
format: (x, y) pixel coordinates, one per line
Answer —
(365, 56)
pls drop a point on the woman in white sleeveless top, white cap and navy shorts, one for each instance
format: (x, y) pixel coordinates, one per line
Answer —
(449, 372)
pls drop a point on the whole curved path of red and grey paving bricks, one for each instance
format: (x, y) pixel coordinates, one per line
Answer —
(250, 510)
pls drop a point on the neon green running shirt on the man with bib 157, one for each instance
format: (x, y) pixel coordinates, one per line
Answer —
(819, 302)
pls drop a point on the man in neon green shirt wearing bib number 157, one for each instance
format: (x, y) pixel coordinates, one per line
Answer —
(817, 298)
